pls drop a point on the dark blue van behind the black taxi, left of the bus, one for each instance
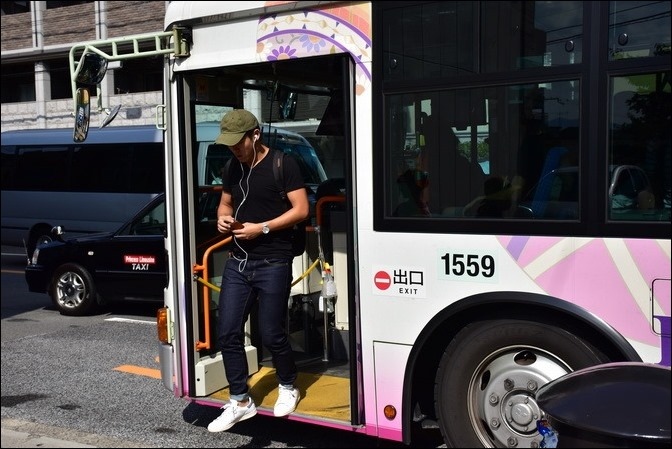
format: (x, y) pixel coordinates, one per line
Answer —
(84, 187)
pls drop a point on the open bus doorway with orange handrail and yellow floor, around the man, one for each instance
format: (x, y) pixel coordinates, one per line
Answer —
(302, 105)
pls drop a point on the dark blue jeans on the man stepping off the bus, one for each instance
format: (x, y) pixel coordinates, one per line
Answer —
(268, 281)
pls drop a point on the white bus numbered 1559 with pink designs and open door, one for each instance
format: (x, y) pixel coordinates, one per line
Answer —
(496, 213)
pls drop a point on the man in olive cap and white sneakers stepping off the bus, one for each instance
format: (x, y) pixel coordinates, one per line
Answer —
(260, 265)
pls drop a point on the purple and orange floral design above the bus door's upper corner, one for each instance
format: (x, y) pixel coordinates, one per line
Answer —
(311, 33)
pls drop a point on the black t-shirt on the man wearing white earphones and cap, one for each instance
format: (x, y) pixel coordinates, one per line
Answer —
(256, 199)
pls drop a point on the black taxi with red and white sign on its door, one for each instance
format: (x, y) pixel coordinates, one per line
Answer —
(80, 274)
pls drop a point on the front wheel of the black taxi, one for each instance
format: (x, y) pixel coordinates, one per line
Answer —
(73, 291)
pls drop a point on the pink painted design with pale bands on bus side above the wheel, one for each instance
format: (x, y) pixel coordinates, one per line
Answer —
(625, 281)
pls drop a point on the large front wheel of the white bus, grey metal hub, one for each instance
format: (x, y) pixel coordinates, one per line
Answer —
(488, 377)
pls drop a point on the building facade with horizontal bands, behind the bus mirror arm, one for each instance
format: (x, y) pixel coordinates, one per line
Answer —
(36, 41)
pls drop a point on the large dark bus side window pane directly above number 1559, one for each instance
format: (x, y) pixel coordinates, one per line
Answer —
(443, 149)
